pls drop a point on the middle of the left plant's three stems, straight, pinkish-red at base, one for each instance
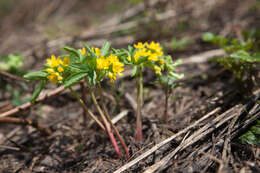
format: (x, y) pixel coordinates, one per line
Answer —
(107, 125)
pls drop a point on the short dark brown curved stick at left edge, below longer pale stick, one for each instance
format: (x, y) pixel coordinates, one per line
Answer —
(44, 130)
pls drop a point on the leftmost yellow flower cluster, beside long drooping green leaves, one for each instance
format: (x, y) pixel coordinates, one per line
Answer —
(56, 67)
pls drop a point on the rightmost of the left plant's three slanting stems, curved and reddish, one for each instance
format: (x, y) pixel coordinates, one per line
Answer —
(111, 123)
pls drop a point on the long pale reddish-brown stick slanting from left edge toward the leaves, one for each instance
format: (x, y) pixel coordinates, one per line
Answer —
(28, 104)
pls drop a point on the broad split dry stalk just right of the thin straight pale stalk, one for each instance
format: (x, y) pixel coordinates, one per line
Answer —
(224, 117)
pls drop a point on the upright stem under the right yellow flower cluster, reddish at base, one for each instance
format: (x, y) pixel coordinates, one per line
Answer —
(139, 83)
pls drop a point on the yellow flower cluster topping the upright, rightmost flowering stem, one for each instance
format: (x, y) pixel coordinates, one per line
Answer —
(152, 51)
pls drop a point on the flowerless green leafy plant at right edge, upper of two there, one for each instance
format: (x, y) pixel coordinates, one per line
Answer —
(242, 55)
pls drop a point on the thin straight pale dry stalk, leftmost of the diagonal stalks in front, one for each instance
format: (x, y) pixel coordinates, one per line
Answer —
(159, 145)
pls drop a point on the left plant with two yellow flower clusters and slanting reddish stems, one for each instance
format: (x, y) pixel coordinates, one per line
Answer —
(91, 65)
